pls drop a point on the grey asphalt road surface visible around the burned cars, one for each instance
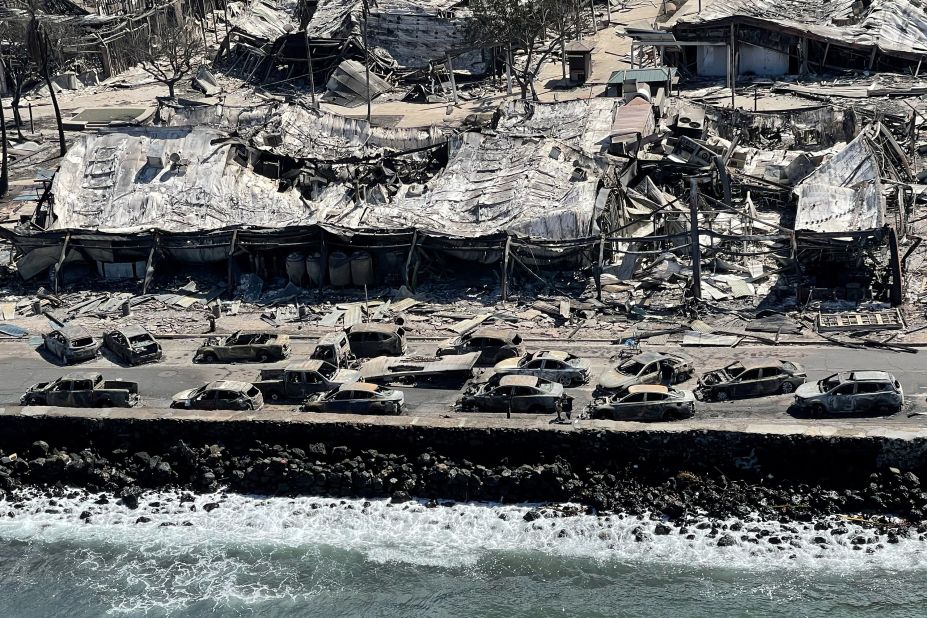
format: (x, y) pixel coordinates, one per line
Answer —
(22, 364)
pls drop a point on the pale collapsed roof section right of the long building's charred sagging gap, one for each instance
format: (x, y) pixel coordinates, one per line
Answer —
(541, 188)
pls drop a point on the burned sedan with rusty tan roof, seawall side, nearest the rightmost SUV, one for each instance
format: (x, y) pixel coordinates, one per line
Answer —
(645, 402)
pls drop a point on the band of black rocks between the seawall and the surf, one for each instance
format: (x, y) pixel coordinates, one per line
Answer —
(890, 501)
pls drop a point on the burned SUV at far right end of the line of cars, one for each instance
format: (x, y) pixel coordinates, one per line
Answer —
(851, 392)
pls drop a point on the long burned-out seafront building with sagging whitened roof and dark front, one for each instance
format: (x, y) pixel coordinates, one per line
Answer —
(286, 189)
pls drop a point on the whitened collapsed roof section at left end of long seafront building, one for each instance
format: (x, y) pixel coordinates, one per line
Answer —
(173, 179)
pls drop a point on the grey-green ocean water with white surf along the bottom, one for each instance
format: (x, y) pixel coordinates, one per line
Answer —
(324, 557)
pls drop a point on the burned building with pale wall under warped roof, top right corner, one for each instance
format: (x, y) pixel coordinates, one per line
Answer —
(801, 36)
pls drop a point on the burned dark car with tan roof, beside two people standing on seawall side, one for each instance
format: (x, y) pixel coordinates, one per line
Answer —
(517, 394)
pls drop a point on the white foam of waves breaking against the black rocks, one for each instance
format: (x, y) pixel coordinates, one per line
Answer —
(245, 550)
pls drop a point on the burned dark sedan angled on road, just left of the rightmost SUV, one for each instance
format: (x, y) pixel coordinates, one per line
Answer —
(740, 380)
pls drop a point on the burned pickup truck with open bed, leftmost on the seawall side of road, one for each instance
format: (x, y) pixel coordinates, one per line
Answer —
(86, 390)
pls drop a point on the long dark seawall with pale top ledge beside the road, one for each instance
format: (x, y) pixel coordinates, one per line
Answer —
(832, 453)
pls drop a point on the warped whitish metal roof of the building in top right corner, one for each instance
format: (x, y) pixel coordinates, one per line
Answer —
(895, 27)
